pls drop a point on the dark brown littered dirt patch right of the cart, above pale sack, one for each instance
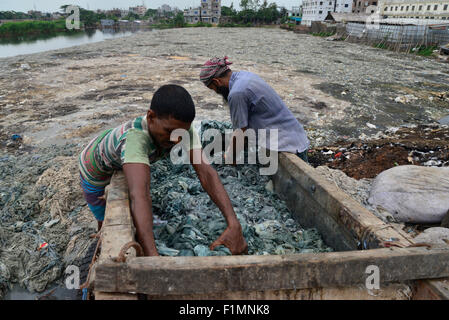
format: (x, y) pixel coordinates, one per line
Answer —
(423, 145)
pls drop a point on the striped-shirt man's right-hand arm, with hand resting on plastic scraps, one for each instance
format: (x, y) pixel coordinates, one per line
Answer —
(232, 237)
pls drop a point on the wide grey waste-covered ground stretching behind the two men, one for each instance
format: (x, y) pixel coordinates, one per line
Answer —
(336, 89)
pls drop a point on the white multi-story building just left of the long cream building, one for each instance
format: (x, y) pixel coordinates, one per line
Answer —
(317, 10)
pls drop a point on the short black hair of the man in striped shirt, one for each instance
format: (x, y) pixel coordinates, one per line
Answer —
(173, 100)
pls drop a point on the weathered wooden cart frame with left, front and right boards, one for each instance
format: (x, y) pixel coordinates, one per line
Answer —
(315, 202)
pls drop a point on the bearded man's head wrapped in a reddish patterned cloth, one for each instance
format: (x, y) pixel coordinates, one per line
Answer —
(215, 74)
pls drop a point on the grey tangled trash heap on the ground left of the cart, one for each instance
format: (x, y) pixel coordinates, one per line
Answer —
(44, 223)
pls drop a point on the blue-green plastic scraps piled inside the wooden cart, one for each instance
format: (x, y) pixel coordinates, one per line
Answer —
(187, 221)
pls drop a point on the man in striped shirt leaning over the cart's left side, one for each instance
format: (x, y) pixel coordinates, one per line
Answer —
(133, 146)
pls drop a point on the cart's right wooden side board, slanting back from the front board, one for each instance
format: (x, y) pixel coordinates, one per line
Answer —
(345, 224)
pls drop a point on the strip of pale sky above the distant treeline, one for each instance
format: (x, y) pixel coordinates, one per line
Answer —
(53, 5)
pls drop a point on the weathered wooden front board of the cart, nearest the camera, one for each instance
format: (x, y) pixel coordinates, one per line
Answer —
(204, 275)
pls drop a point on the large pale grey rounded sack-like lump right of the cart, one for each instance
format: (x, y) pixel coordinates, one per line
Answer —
(412, 193)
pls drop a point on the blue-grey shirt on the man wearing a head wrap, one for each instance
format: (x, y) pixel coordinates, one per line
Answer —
(254, 104)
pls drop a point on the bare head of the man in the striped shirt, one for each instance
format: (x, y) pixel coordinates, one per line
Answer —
(171, 108)
